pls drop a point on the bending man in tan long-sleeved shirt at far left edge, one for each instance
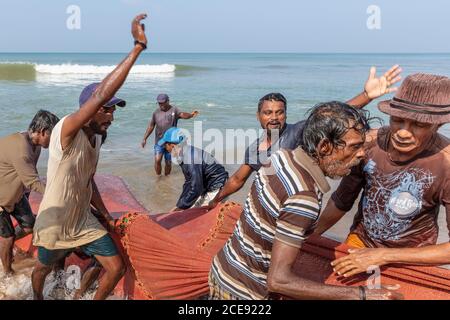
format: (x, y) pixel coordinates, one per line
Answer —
(18, 174)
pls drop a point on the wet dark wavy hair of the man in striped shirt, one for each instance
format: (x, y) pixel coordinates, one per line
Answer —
(331, 121)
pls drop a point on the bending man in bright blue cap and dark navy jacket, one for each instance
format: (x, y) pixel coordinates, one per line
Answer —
(204, 177)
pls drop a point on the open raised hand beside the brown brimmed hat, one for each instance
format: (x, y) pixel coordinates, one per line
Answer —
(376, 87)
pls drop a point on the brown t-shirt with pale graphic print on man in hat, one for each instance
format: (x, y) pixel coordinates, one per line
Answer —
(400, 202)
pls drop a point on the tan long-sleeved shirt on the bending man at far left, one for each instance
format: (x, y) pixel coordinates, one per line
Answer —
(17, 169)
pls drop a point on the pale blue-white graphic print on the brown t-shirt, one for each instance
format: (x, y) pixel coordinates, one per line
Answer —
(390, 202)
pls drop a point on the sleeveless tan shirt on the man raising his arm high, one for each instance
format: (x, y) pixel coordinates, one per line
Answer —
(65, 220)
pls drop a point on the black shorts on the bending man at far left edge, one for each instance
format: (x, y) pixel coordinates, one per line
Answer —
(23, 215)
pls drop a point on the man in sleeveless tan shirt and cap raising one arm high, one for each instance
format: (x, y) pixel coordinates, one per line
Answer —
(65, 221)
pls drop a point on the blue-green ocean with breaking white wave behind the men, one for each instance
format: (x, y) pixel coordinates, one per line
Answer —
(224, 88)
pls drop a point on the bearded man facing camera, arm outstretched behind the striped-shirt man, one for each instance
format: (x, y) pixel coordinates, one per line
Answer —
(272, 115)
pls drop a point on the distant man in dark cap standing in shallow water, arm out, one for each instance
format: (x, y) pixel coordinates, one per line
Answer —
(162, 119)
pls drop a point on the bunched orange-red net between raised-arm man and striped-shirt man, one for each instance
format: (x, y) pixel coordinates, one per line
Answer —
(171, 254)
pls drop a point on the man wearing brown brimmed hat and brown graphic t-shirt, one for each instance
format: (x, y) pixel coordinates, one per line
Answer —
(405, 179)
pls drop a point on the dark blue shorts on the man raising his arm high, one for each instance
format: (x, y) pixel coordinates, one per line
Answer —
(103, 246)
